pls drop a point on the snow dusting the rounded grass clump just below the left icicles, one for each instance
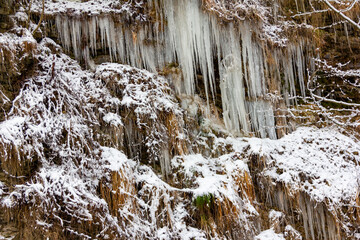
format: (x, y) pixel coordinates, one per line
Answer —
(150, 98)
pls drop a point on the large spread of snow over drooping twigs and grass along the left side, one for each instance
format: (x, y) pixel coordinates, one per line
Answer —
(59, 106)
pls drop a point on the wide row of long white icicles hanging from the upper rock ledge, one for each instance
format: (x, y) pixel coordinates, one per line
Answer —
(195, 39)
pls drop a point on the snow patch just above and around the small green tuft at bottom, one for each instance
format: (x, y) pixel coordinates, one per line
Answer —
(217, 177)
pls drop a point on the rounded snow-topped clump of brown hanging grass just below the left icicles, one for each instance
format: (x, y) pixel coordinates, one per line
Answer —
(151, 115)
